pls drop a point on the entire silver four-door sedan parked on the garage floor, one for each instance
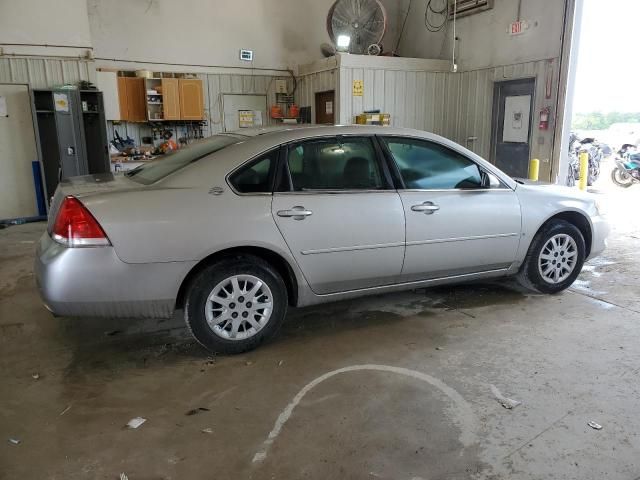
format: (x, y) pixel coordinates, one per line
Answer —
(236, 228)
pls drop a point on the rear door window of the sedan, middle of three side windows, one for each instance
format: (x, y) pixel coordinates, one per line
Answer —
(335, 164)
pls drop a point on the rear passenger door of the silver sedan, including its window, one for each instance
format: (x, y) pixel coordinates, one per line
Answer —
(340, 214)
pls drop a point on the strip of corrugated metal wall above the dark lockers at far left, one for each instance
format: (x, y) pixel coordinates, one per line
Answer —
(45, 72)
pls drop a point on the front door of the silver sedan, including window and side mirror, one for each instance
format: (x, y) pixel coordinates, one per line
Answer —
(454, 225)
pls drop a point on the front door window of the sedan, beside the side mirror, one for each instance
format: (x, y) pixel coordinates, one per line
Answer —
(425, 165)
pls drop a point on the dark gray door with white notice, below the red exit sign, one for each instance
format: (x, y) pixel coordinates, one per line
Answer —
(512, 124)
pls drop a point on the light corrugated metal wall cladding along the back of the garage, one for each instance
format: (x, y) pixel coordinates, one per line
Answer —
(457, 106)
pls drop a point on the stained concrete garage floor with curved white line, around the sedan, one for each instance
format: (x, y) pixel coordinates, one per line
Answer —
(416, 403)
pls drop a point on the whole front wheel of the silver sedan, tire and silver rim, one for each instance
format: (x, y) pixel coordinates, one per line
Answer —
(555, 258)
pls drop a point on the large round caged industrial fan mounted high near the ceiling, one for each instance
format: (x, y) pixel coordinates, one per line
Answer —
(356, 25)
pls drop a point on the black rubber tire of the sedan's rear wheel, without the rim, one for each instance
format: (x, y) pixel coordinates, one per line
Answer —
(204, 283)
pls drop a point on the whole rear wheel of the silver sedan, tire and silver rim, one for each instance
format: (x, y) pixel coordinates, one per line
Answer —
(236, 304)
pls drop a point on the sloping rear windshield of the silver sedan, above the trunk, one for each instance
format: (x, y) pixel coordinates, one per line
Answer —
(172, 162)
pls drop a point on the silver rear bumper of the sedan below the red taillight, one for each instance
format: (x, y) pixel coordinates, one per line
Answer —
(95, 282)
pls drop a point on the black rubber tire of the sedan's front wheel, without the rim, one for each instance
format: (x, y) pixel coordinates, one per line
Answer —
(530, 276)
